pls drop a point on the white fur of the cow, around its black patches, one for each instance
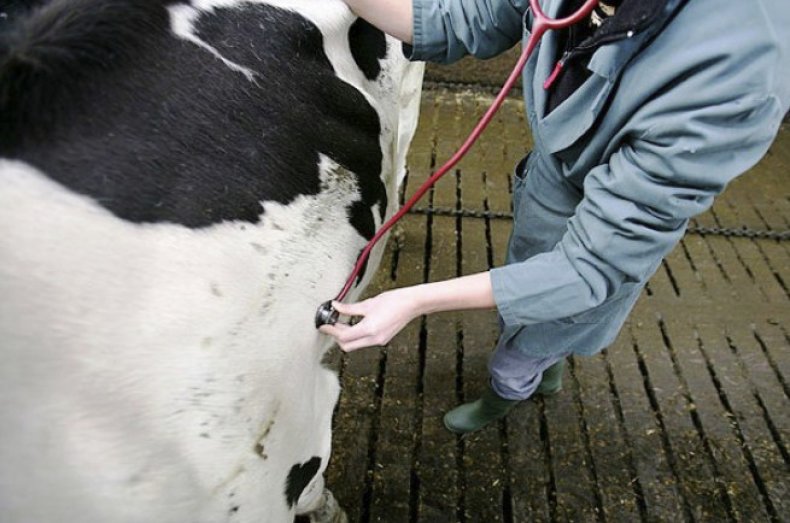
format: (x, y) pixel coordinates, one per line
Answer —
(160, 373)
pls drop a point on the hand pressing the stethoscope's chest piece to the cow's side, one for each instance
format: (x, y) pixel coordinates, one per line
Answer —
(383, 316)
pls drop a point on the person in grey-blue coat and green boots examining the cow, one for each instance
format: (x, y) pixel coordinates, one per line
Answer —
(655, 107)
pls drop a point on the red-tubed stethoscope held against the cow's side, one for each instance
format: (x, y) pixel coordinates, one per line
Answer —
(541, 23)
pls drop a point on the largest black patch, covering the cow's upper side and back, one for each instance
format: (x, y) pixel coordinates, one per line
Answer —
(103, 98)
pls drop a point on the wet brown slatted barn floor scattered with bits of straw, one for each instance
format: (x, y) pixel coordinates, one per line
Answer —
(684, 418)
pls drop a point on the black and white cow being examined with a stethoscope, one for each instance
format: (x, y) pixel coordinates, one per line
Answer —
(181, 185)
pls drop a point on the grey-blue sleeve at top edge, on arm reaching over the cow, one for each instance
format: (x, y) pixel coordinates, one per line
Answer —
(447, 30)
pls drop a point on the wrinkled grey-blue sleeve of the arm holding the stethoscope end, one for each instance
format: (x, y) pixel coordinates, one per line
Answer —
(636, 207)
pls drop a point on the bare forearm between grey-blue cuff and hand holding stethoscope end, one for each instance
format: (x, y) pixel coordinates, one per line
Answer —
(467, 292)
